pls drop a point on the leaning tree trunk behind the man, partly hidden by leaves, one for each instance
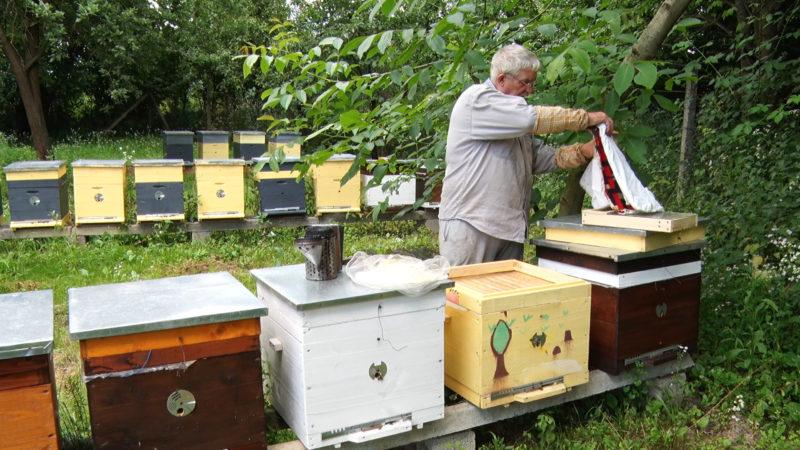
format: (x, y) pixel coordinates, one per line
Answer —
(645, 48)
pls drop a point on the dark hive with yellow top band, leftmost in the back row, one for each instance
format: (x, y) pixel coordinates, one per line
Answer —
(37, 194)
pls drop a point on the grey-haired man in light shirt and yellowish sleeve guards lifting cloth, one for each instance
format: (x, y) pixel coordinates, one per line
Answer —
(492, 156)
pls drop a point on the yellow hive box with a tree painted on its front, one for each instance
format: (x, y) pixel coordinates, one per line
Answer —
(515, 332)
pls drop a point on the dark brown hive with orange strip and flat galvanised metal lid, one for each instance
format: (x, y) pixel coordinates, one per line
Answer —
(196, 334)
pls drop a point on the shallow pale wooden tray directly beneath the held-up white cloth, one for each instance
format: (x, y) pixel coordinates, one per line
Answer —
(664, 222)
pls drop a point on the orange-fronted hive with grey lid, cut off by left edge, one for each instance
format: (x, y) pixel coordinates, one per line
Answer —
(28, 406)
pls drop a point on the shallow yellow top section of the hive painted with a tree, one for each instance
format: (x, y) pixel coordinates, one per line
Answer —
(504, 285)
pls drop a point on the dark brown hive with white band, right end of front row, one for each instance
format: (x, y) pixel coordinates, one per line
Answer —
(645, 305)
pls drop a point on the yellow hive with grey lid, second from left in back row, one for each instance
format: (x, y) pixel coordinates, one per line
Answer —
(99, 191)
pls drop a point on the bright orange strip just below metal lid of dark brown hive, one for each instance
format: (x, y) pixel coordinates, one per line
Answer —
(163, 339)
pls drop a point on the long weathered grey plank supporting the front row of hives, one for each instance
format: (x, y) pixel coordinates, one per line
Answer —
(464, 416)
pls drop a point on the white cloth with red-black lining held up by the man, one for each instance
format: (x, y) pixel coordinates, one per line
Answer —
(634, 192)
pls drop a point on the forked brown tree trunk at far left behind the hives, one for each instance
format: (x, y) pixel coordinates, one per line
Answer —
(26, 73)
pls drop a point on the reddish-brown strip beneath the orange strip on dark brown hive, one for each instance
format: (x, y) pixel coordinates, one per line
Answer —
(171, 355)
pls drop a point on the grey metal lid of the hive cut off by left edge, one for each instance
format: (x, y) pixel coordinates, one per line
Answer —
(26, 324)
